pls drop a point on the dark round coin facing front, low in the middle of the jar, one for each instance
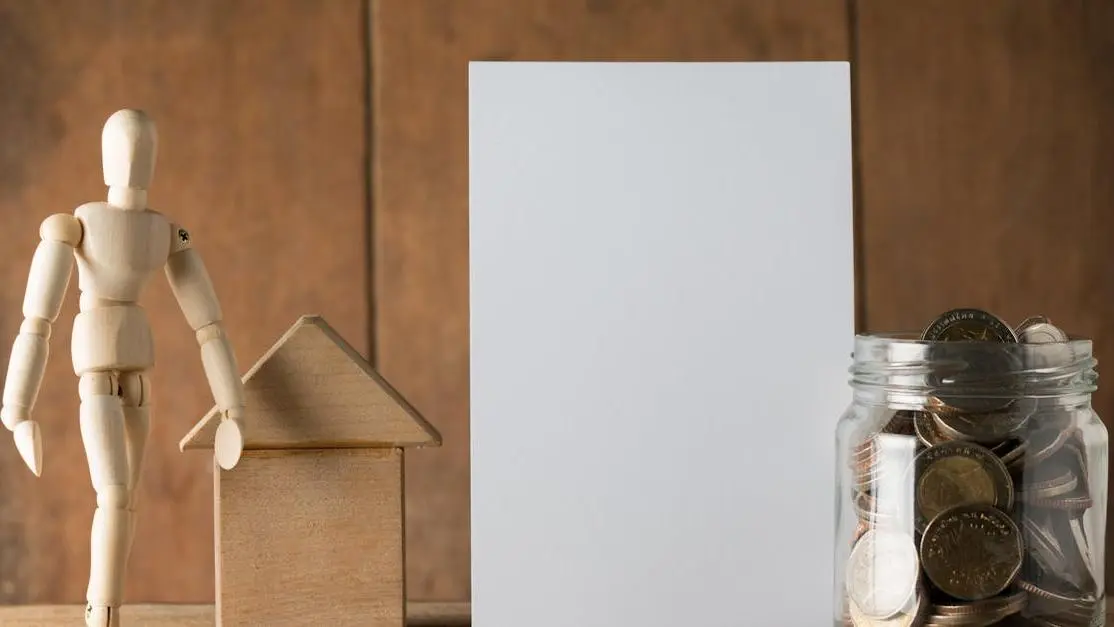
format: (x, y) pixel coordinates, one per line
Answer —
(972, 552)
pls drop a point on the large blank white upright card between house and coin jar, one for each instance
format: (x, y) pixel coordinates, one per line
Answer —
(662, 320)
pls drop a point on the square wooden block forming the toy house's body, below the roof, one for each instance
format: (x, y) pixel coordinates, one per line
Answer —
(311, 538)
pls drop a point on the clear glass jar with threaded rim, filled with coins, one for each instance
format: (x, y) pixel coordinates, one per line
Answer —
(971, 486)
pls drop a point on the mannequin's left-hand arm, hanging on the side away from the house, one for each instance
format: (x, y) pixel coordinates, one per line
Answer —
(46, 288)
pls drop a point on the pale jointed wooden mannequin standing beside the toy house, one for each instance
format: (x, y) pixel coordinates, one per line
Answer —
(119, 247)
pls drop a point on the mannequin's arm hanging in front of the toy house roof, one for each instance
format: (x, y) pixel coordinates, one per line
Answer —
(193, 289)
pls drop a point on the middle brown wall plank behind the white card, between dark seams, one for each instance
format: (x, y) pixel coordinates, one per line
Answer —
(421, 54)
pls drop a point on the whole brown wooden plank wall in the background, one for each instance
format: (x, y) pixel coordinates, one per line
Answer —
(318, 151)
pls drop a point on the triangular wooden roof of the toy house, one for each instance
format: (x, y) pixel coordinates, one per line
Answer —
(312, 390)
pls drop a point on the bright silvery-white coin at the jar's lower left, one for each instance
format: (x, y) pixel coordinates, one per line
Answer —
(883, 573)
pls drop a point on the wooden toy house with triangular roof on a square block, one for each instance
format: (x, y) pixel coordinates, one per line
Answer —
(310, 524)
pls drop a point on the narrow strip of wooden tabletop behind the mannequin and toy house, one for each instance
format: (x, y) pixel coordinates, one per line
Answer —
(418, 615)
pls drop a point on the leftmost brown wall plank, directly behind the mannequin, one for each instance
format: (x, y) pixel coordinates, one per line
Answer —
(261, 122)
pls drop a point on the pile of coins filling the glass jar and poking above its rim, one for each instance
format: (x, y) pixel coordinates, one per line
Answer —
(990, 526)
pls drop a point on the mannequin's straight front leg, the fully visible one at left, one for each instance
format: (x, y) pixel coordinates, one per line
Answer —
(105, 447)
